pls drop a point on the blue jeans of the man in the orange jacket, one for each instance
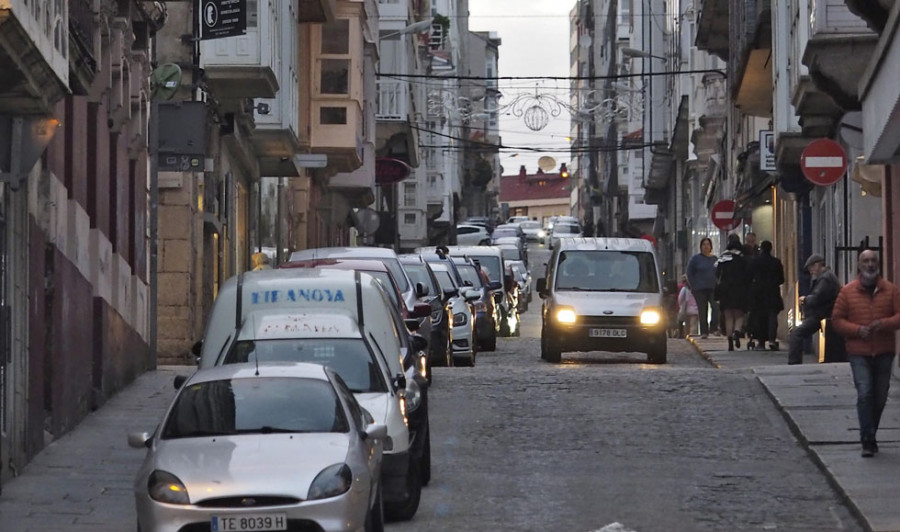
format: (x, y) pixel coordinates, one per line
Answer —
(872, 377)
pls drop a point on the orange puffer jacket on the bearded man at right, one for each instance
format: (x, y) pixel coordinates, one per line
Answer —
(855, 308)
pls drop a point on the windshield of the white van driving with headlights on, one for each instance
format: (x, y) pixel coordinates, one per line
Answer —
(607, 271)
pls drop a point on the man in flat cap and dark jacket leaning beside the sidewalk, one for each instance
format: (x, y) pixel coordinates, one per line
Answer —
(815, 306)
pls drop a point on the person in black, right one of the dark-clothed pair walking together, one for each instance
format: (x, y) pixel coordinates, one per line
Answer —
(766, 278)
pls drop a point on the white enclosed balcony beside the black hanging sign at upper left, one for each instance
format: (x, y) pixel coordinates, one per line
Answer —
(245, 66)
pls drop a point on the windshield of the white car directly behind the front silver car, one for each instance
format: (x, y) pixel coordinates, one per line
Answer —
(348, 357)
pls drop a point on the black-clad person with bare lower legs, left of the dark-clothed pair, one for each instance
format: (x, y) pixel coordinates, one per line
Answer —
(732, 283)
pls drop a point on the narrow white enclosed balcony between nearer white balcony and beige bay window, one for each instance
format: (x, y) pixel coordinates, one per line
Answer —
(275, 137)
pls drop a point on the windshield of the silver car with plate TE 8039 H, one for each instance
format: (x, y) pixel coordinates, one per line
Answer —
(261, 405)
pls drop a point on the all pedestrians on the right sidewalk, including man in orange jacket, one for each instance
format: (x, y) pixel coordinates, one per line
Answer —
(745, 284)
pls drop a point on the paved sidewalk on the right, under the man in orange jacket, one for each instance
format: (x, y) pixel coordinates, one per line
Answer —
(819, 403)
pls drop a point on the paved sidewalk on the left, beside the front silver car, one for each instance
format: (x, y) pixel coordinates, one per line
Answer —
(83, 481)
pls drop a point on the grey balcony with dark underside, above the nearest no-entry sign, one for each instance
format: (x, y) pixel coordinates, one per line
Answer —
(837, 52)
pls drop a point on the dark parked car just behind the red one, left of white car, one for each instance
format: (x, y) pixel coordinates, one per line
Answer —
(440, 342)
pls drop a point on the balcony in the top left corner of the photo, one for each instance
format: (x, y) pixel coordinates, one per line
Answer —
(34, 56)
